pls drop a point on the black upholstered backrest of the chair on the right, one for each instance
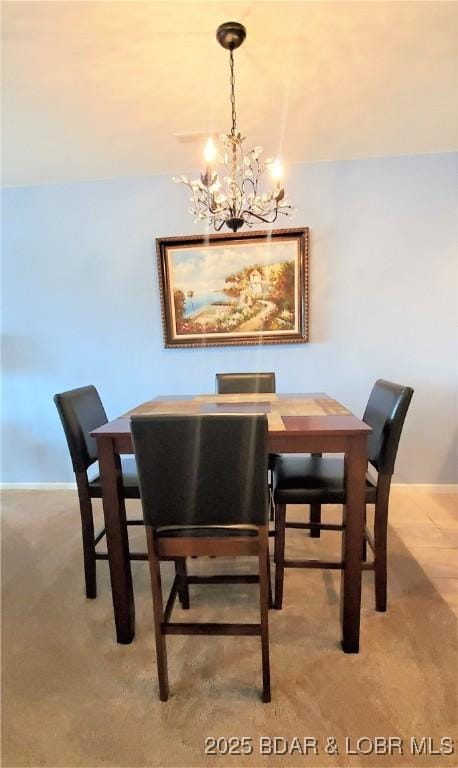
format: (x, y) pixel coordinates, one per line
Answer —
(385, 413)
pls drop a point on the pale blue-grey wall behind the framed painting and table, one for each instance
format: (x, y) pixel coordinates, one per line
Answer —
(81, 304)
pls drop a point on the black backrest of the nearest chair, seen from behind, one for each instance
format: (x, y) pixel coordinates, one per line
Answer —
(202, 469)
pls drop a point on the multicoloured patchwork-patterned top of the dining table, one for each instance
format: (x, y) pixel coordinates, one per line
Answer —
(312, 413)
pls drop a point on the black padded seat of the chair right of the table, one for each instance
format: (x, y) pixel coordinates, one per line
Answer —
(302, 479)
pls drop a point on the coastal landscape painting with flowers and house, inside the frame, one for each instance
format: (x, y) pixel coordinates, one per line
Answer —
(238, 289)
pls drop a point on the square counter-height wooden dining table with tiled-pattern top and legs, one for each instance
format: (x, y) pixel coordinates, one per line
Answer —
(297, 423)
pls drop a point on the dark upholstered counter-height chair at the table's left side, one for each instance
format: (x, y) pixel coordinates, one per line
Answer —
(81, 411)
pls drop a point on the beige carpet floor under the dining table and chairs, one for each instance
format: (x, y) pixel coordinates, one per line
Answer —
(73, 697)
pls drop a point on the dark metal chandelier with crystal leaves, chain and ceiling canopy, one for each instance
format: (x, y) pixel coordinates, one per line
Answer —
(234, 197)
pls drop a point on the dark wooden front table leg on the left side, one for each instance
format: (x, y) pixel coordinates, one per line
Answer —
(114, 511)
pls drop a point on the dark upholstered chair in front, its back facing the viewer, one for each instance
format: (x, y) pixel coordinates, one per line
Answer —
(203, 490)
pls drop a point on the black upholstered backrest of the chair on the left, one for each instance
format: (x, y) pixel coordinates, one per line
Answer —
(80, 412)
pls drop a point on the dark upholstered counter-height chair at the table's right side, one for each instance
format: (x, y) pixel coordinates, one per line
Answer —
(317, 481)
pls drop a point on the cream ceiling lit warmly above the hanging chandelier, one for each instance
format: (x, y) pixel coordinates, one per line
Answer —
(98, 89)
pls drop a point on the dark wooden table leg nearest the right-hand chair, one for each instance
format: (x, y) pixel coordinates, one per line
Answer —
(350, 594)
